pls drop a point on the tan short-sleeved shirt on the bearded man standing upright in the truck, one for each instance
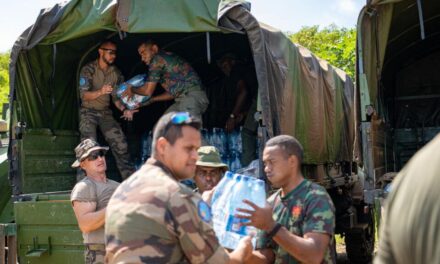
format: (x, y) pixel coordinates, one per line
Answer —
(92, 78)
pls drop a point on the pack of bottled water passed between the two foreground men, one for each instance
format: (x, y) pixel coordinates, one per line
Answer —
(227, 198)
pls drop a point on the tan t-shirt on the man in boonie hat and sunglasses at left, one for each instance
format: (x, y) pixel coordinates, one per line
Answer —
(88, 190)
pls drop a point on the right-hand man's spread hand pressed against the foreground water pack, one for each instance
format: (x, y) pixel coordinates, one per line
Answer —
(260, 217)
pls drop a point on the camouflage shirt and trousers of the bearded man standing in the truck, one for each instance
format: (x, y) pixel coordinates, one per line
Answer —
(97, 113)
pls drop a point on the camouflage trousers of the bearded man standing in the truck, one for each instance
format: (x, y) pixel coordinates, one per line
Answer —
(91, 119)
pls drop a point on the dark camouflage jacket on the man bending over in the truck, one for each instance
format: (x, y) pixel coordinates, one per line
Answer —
(173, 73)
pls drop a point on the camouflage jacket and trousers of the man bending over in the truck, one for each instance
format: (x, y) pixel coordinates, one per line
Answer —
(179, 79)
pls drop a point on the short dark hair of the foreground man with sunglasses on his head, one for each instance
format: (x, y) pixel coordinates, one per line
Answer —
(171, 132)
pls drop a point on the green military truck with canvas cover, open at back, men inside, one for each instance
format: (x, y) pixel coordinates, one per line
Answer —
(298, 94)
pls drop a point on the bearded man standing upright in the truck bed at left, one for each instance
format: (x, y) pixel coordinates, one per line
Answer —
(96, 83)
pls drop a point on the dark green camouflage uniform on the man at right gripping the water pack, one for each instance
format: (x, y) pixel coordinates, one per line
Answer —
(306, 209)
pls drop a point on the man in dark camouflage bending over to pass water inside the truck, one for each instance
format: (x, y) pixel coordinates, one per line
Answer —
(177, 78)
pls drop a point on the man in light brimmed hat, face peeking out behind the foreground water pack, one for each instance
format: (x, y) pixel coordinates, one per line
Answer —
(210, 168)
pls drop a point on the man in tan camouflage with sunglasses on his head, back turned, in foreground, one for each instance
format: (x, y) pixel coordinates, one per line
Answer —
(152, 218)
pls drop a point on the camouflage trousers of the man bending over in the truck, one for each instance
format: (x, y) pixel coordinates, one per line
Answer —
(195, 102)
